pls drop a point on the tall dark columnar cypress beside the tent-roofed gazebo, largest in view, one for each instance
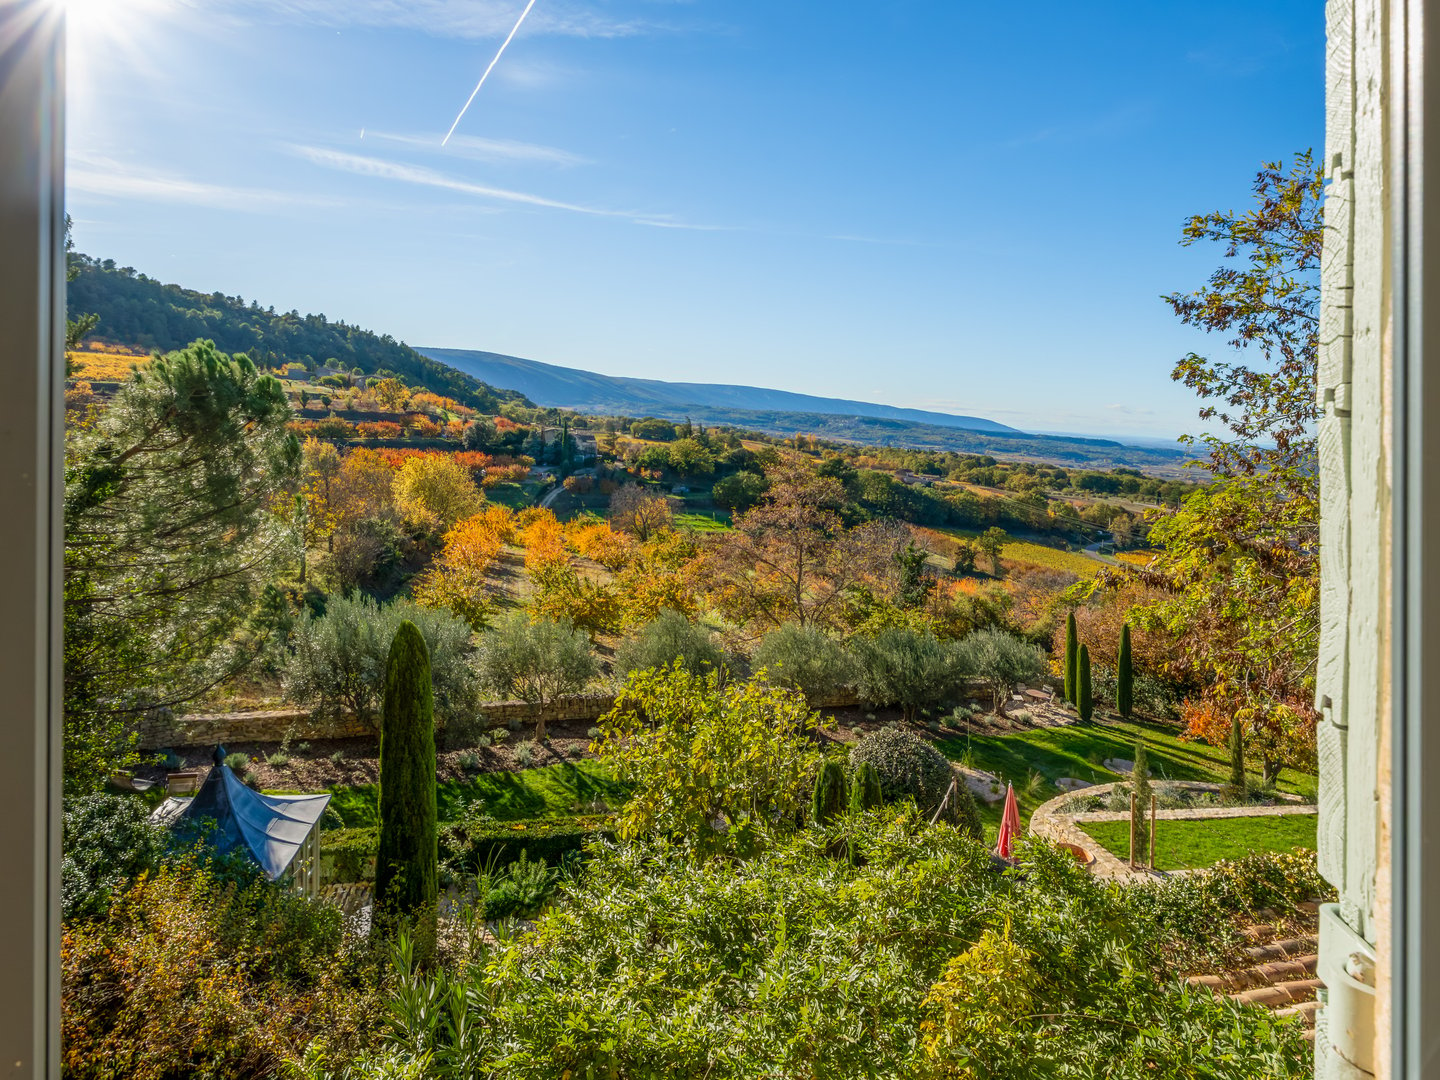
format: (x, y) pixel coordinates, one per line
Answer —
(407, 863)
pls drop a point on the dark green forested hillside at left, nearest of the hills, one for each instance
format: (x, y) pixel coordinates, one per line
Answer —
(138, 310)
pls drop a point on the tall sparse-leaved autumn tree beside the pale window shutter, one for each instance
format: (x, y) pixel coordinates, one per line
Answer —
(1241, 558)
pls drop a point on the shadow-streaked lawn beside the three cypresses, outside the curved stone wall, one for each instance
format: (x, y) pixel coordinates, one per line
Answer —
(1079, 751)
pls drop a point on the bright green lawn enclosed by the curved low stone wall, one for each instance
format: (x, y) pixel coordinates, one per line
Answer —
(1184, 845)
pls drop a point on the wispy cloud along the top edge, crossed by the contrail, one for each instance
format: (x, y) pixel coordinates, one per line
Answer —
(469, 19)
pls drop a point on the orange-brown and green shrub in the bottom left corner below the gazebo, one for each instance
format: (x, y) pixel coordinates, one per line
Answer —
(195, 976)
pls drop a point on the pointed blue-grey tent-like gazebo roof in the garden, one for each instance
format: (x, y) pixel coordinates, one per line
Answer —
(271, 829)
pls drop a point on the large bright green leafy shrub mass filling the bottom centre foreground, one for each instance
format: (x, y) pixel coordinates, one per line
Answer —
(652, 966)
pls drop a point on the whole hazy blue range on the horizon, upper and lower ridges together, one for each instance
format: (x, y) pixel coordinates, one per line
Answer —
(780, 413)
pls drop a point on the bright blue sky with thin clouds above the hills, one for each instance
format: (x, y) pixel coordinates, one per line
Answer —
(931, 204)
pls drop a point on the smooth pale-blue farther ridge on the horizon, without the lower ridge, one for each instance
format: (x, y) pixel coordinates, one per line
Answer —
(570, 388)
